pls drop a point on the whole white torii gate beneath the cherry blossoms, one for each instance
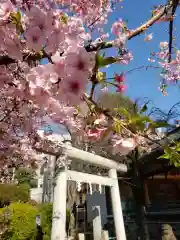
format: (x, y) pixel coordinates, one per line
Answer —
(60, 190)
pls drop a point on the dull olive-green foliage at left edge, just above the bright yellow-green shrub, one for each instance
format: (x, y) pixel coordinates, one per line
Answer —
(13, 193)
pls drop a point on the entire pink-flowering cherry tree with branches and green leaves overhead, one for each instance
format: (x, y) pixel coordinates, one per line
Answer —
(63, 90)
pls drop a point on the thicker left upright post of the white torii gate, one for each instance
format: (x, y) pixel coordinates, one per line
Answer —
(58, 231)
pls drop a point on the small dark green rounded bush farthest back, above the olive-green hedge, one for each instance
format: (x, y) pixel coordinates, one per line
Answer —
(26, 176)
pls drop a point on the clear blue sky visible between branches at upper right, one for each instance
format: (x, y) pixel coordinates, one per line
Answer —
(144, 84)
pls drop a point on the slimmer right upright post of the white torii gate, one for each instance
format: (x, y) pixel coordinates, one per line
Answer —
(117, 208)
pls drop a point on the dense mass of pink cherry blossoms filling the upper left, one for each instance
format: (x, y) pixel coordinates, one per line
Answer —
(31, 92)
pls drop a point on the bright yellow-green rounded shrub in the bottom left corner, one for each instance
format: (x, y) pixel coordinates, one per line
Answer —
(17, 222)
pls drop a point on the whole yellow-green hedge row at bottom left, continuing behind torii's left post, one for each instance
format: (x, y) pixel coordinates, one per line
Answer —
(18, 221)
